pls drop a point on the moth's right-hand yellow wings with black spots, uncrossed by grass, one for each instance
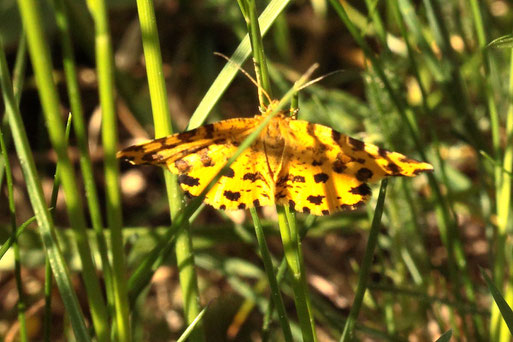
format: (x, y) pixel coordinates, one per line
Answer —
(326, 171)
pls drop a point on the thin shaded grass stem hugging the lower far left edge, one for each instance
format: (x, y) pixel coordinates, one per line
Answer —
(17, 265)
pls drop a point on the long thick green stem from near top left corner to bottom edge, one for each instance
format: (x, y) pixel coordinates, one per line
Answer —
(41, 63)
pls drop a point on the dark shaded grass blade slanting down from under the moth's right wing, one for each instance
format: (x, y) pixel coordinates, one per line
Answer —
(363, 277)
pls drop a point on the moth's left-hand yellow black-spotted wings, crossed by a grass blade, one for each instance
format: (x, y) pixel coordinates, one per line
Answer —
(196, 156)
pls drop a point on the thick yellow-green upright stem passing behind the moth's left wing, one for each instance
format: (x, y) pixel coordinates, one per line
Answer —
(162, 122)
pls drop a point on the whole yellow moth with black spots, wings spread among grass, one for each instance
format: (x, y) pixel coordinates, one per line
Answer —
(310, 167)
